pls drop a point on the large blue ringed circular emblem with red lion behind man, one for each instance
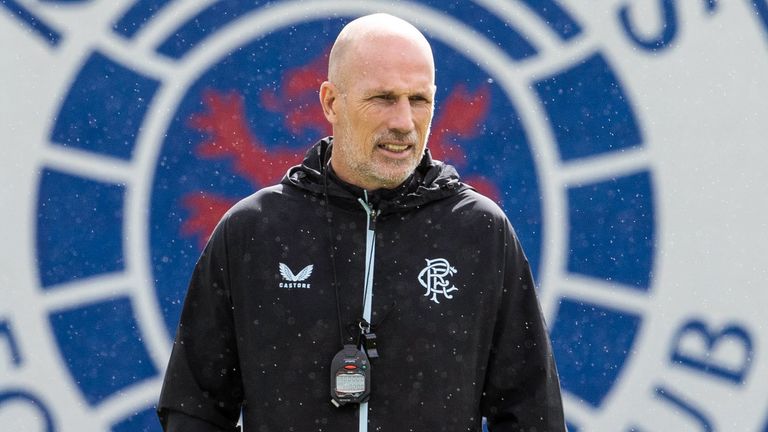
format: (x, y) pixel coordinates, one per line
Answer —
(552, 138)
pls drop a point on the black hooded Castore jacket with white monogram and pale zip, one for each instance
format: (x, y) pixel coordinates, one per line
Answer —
(459, 329)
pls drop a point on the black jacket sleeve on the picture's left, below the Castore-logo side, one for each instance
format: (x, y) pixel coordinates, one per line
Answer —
(202, 390)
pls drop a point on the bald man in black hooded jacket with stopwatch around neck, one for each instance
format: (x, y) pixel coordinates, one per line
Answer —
(372, 245)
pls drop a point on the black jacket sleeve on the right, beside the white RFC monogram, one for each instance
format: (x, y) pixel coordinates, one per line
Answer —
(522, 390)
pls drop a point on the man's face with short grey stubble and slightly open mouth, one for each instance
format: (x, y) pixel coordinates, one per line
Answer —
(384, 110)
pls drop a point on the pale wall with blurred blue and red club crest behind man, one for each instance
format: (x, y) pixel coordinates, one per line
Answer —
(626, 140)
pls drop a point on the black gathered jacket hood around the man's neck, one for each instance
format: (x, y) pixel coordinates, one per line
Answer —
(432, 180)
